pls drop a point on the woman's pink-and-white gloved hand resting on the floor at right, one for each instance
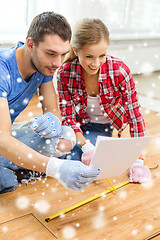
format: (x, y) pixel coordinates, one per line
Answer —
(138, 173)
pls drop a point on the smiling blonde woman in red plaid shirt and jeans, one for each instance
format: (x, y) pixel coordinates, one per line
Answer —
(96, 91)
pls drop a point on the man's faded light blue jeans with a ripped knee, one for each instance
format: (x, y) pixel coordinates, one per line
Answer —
(23, 132)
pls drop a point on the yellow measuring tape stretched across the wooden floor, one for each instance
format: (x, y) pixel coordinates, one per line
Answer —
(87, 200)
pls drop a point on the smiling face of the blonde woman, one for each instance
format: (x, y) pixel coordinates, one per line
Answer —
(92, 57)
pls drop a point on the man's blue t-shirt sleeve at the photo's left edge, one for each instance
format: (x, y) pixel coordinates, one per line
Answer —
(4, 80)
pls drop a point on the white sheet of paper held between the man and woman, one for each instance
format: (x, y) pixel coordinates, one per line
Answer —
(115, 155)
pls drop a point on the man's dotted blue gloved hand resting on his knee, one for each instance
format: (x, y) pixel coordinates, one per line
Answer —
(46, 125)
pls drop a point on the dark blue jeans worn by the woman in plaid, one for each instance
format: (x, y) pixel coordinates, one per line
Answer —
(90, 132)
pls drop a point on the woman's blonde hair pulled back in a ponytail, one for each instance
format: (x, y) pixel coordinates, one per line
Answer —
(87, 31)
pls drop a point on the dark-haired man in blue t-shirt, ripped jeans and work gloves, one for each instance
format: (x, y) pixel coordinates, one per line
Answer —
(36, 145)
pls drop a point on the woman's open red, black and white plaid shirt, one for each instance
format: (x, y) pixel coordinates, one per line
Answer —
(117, 96)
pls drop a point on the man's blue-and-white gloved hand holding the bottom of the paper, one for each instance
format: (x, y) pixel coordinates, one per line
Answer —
(71, 174)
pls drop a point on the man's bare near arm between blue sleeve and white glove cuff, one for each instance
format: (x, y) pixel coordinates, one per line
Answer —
(14, 150)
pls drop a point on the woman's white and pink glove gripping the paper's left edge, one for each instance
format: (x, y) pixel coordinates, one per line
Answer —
(88, 151)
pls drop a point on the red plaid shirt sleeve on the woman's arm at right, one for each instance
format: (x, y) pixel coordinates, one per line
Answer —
(130, 102)
